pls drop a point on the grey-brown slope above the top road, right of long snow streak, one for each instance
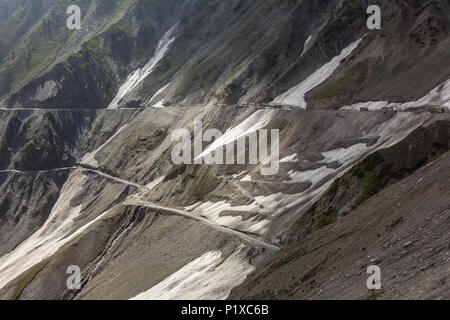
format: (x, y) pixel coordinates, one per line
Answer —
(401, 62)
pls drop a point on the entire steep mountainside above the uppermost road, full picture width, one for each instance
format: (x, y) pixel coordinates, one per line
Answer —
(263, 53)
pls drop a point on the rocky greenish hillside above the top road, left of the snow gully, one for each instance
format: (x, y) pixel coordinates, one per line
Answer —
(47, 65)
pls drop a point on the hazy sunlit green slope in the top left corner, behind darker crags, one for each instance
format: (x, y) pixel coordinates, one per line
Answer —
(43, 35)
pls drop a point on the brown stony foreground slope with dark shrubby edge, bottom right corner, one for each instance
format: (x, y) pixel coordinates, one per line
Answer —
(403, 229)
